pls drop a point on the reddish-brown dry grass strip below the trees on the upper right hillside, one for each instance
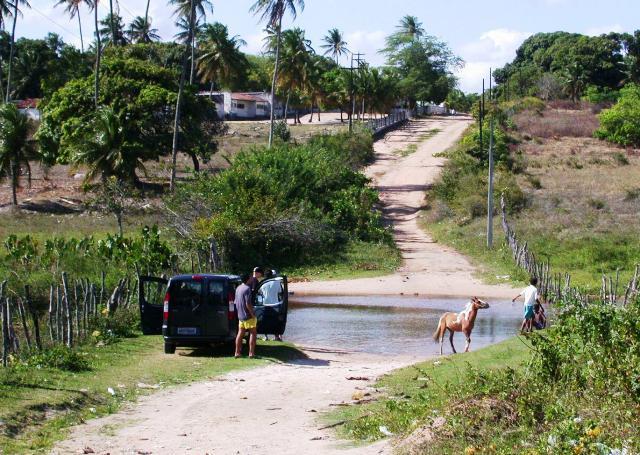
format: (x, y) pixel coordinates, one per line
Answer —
(557, 123)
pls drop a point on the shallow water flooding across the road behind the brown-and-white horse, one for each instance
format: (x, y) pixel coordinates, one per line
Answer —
(392, 325)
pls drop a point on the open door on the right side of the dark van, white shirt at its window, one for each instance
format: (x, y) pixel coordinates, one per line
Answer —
(271, 305)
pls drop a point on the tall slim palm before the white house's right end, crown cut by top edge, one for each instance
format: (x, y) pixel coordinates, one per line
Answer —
(272, 12)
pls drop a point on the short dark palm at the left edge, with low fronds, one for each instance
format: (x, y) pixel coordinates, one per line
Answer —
(15, 148)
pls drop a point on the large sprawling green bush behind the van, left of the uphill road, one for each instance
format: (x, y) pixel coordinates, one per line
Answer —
(285, 204)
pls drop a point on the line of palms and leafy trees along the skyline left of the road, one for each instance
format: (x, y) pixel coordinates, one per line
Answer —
(128, 97)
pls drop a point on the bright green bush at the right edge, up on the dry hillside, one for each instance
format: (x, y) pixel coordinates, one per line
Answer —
(621, 123)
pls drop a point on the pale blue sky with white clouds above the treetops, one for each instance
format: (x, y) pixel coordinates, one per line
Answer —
(486, 35)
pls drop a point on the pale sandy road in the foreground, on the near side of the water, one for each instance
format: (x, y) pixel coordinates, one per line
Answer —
(270, 410)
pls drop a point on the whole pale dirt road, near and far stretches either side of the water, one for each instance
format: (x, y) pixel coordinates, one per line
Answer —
(273, 410)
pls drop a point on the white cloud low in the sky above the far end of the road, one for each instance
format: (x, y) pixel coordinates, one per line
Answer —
(493, 49)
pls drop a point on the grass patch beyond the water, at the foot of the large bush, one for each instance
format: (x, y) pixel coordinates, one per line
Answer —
(357, 260)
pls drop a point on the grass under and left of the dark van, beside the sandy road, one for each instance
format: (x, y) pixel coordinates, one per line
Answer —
(38, 405)
